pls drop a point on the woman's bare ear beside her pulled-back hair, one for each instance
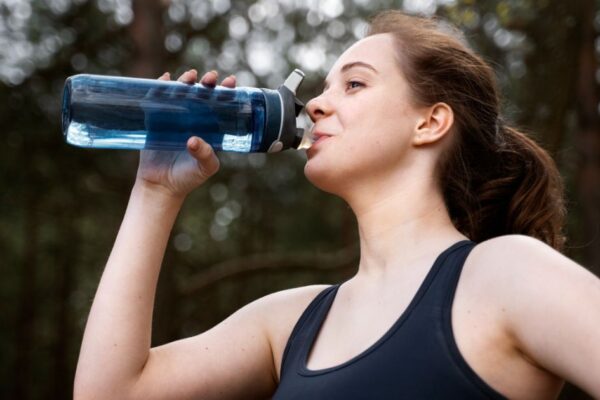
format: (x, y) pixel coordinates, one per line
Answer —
(433, 124)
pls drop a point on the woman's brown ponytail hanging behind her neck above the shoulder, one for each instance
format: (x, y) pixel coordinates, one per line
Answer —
(517, 189)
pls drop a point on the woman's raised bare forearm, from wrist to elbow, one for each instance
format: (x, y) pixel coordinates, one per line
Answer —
(117, 337)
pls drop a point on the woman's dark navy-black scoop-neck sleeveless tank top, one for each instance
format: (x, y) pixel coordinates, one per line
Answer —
(417, 358)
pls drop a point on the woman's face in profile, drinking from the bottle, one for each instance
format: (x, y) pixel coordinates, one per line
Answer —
(363, 119)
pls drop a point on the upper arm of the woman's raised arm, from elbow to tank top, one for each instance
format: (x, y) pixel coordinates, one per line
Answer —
(233, 360)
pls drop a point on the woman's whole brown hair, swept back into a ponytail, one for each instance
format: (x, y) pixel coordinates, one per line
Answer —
(495, 180)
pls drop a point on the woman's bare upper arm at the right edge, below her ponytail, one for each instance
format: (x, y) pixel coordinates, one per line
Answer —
(554, 310)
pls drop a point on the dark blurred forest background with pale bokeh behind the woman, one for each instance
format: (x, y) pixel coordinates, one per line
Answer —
(258, 226)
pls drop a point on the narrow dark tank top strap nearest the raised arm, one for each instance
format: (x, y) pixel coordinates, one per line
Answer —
(306, 328)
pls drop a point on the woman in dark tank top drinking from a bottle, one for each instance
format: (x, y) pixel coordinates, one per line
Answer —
(408, 133)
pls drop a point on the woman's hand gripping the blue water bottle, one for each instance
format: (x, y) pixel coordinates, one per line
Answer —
(178, 172)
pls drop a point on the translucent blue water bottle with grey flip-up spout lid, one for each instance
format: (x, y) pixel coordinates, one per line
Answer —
(131, 113)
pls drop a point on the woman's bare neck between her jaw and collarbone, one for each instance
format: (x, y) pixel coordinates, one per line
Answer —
(408, 222)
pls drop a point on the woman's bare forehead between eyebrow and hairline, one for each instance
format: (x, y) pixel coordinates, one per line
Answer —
(377, 50)
